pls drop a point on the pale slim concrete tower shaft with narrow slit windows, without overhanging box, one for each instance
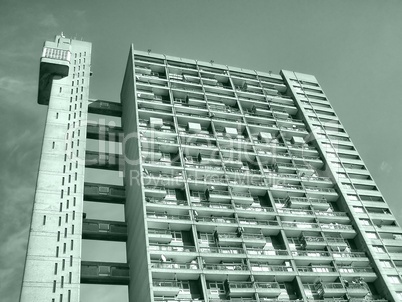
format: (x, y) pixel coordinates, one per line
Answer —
(55, 233)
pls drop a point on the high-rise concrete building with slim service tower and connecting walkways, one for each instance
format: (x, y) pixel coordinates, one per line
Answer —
(237, 185)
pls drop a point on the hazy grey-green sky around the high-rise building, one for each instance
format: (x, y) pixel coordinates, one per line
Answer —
(352, 47)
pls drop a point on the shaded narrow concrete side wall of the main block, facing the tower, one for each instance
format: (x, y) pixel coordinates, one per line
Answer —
(138, 259)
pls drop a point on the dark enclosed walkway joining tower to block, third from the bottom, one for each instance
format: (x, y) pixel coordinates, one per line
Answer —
(104, 193)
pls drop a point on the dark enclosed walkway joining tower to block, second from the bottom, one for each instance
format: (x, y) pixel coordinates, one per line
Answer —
(104, 230)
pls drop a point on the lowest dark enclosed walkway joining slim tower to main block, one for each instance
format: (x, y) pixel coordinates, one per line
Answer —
(104, 273)
